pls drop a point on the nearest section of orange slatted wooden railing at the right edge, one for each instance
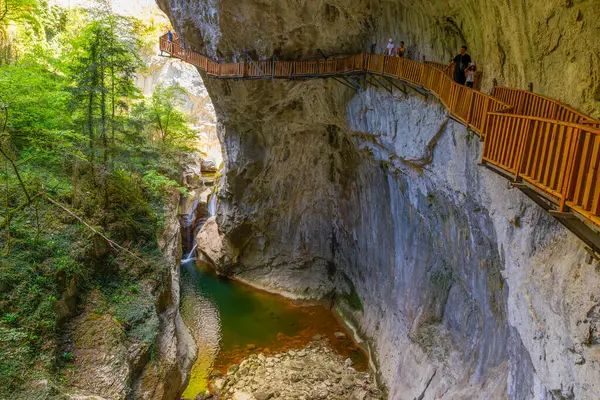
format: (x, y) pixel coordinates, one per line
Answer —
(561, 159)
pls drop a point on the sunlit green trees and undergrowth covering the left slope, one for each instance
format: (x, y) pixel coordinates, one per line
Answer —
(77, 134)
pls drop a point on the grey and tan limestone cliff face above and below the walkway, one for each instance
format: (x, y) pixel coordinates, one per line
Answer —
(467, 290)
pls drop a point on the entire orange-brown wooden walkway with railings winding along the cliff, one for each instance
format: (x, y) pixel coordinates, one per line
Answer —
(549, 150)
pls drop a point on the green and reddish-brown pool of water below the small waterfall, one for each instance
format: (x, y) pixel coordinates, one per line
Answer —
(231, 320)
